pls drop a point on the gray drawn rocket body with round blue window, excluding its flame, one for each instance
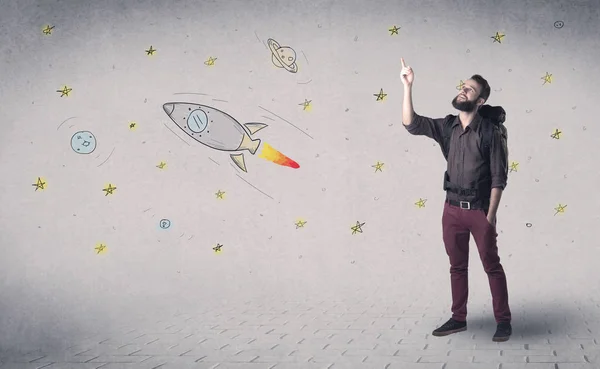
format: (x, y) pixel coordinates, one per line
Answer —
(215, 129)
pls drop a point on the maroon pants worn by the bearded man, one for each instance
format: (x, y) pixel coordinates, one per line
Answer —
(458, 224)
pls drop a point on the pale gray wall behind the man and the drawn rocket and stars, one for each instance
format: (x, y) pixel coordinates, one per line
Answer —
(54, 285)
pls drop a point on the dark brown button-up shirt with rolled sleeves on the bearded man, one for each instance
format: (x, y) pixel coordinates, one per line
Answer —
(466, 166)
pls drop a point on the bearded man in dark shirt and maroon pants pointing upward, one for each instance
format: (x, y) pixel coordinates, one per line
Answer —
(467, 212)
